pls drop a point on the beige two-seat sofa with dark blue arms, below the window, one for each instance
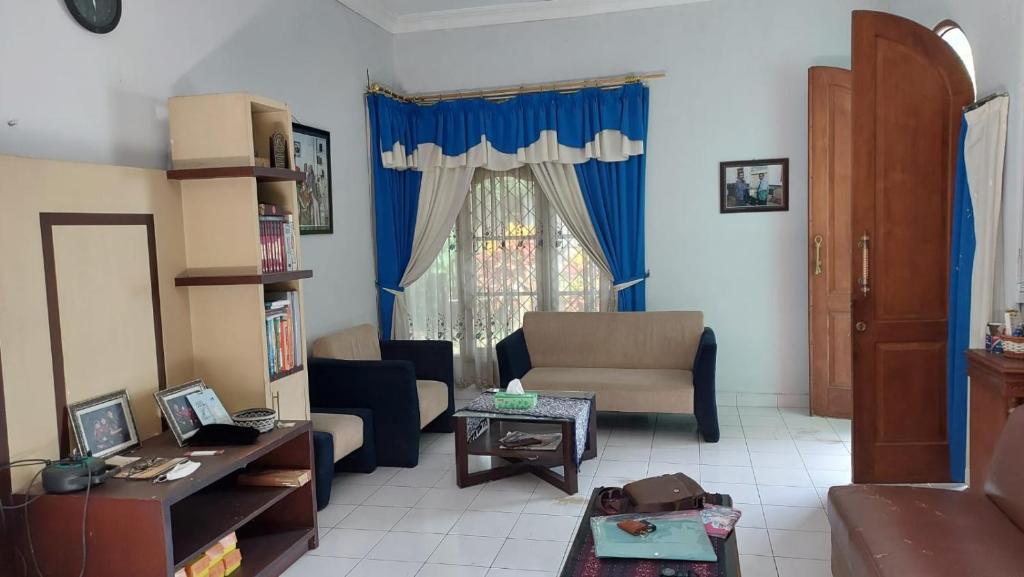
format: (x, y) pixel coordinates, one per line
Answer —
(636, 362)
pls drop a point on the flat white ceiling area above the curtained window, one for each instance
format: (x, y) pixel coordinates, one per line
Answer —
(414, 16)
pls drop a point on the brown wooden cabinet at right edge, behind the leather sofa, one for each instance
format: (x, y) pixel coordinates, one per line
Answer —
(997, 389)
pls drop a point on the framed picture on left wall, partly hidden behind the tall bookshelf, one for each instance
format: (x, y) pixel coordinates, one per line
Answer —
(313, 157)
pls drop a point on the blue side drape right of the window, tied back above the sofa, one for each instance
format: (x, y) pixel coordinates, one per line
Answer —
(615, 196)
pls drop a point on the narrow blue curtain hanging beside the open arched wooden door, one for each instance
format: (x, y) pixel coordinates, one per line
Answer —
(962, 271)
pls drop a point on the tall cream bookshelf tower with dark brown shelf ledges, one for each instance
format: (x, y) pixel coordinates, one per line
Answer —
(216, 141)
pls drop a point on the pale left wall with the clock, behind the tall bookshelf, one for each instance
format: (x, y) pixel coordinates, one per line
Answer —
(76, 96)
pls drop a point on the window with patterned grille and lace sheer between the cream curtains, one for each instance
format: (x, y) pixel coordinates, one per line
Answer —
(508, 254)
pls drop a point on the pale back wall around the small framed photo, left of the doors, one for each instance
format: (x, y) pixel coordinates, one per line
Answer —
(737, 90)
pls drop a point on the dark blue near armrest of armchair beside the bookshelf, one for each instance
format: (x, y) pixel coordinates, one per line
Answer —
(388, 389)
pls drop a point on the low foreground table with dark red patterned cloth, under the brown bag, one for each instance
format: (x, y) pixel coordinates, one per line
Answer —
(582, 562)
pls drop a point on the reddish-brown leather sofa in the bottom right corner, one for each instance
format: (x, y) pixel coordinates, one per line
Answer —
(890, 531)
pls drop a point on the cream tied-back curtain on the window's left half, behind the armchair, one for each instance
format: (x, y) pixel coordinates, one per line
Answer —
(443, 192)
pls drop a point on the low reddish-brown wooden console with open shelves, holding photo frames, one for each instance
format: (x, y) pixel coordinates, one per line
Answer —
(147, 529)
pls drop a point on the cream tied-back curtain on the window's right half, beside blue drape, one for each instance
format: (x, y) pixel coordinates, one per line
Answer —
(562, 187)
